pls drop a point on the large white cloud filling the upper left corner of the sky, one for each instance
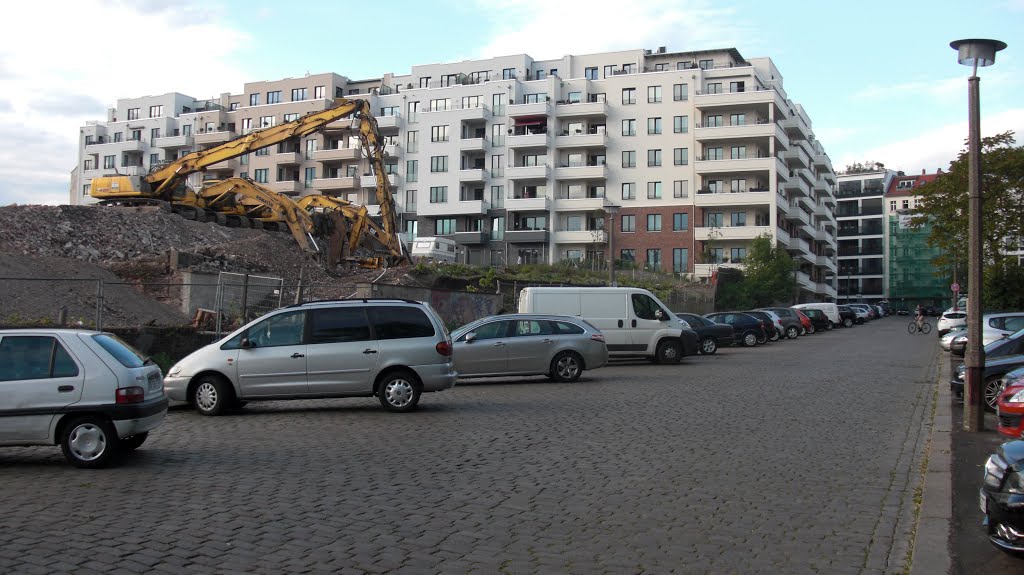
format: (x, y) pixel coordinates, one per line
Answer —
(69, 61)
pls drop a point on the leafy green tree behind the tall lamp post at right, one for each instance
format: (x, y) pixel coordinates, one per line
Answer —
(946, 208)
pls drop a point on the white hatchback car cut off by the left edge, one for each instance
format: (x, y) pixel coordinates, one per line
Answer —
(88, 391)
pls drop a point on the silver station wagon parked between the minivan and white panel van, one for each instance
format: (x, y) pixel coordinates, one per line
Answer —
(518, 344)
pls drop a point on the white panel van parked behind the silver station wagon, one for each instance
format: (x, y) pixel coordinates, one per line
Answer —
(635, 324)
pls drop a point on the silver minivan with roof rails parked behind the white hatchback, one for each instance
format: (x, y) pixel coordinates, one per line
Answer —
(393, 349)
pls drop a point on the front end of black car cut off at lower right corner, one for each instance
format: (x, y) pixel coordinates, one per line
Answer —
(1002, 498)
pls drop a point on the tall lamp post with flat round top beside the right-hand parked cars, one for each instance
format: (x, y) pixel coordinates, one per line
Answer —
(975, 53)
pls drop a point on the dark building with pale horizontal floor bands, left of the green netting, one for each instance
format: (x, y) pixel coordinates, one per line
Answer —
(861, 214)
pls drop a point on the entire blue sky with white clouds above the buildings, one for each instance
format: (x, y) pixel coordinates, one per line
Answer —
(878, 79)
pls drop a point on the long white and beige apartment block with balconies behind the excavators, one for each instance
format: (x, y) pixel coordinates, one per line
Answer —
(523, 161)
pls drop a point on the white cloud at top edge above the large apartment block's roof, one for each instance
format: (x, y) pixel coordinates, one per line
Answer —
(603, 26)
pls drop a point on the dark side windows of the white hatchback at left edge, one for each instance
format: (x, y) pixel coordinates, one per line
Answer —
(34, 358)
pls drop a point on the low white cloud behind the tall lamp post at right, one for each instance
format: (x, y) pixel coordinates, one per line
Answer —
(936, 149)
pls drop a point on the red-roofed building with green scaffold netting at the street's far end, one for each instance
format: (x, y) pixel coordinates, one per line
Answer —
(912, 279)
